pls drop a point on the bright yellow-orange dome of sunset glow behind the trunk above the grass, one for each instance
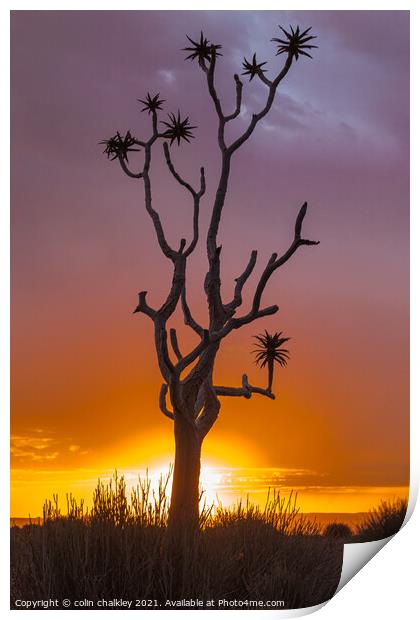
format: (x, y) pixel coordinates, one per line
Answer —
(230, 471)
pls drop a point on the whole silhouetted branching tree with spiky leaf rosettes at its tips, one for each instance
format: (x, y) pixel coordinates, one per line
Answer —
(194, 398)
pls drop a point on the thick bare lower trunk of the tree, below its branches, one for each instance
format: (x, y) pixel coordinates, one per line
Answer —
(184, 508)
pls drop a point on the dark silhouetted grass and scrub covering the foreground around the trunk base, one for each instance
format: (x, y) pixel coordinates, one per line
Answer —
(117, 549)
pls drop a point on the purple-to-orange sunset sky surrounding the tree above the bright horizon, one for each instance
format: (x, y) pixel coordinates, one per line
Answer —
(84, 377)
